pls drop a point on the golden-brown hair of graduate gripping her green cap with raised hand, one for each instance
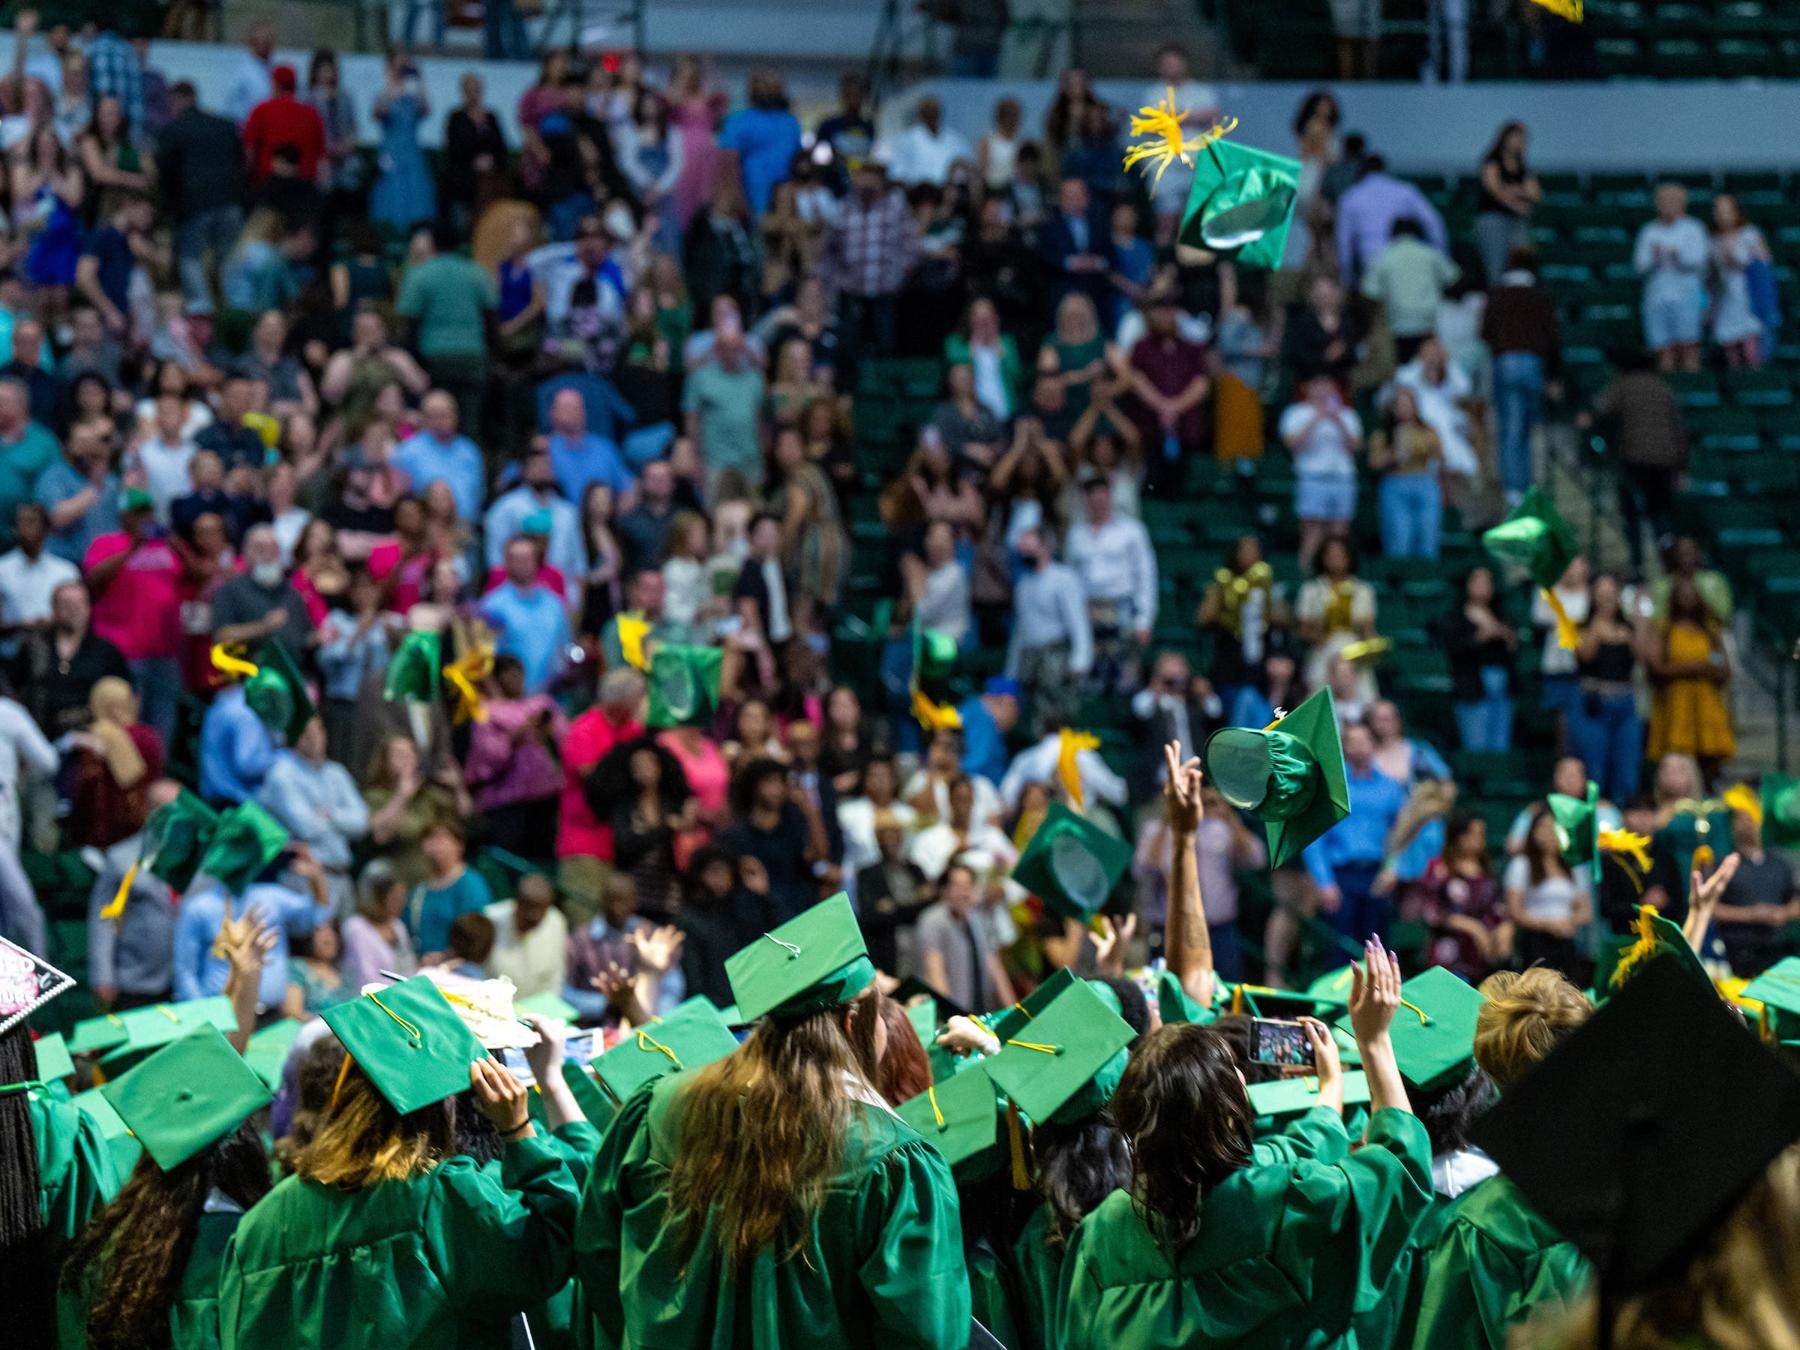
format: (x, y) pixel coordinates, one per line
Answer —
(363, 1142)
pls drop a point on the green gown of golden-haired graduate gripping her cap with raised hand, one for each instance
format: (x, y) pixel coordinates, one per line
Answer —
(440, 1261)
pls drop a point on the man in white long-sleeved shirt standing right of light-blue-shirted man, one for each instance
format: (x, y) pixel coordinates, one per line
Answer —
(1117, 566)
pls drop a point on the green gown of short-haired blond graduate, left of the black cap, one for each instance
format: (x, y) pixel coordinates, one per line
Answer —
(1497, 1264)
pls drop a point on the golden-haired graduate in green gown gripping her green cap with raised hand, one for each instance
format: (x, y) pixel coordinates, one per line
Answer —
(386, 1236)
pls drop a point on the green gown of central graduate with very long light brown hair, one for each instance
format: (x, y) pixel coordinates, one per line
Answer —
(883, 1266)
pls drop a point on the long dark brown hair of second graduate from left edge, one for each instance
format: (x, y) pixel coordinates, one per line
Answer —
(134, 1255)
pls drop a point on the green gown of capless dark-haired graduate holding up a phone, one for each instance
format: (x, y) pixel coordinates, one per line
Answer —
(1286, 1255)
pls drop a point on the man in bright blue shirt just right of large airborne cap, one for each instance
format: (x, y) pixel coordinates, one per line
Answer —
(1349, 861)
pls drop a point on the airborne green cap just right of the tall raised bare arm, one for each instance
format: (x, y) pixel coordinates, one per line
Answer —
(1291, 777)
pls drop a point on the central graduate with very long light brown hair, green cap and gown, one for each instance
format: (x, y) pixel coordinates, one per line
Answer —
(773, 1191)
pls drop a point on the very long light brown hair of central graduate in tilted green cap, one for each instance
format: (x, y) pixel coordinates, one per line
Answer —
(762, 1131)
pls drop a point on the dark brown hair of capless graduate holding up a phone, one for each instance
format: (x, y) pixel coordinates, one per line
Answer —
(1187, 1117)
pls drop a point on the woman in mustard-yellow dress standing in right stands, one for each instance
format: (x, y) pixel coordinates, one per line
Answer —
(1689, 672)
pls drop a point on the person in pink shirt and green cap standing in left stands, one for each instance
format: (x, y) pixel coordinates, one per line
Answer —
(136, 579)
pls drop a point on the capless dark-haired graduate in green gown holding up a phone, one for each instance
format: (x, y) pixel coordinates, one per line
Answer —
(1210, 1248)
